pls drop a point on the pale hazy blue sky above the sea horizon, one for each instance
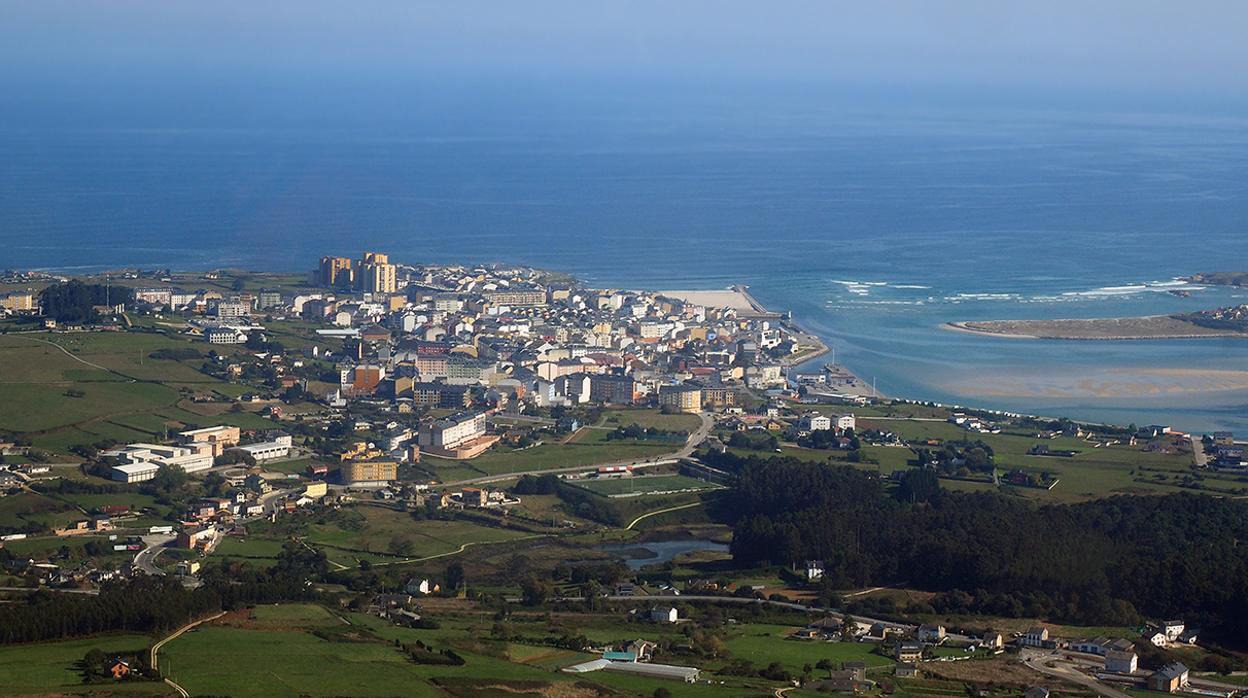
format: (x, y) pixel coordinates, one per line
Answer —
(1146, 46)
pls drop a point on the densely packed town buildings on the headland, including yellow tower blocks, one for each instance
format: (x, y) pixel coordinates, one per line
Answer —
(441, 337)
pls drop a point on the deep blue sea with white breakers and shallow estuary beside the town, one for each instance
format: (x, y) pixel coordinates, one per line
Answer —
(873, 224)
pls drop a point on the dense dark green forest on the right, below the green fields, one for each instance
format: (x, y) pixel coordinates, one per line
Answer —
(1104, 563)
